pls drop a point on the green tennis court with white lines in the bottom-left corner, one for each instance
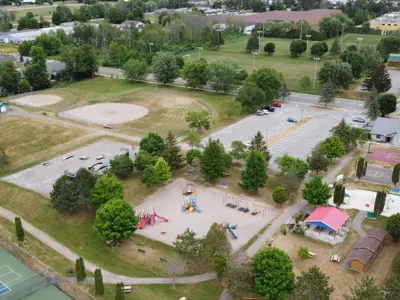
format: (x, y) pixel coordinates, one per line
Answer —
(18, 281)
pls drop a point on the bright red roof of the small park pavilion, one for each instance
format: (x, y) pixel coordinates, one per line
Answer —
(330, 216)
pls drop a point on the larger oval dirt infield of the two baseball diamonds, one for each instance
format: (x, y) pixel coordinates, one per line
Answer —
(105, 113)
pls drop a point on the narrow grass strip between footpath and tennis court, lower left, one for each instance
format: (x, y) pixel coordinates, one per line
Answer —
(36, 248)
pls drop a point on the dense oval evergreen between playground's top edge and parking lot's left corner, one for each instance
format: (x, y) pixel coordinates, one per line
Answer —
(213, 161)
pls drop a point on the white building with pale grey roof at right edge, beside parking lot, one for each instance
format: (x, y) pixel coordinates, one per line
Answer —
(386, 131)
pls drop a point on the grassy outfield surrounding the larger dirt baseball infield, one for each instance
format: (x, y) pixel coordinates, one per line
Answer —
(167, 106)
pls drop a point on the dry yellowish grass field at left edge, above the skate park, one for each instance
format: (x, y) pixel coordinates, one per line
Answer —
(25, 139)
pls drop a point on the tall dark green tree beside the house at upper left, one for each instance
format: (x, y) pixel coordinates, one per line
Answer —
(36, 71)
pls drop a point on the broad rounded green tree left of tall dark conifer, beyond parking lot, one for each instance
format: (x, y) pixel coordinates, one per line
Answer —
(339, 73)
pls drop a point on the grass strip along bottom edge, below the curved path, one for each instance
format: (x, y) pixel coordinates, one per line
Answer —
(208, 290)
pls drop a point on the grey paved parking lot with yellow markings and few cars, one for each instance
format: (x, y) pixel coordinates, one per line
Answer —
(297, 143)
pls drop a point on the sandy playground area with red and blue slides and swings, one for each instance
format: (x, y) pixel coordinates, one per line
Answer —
(177, 206)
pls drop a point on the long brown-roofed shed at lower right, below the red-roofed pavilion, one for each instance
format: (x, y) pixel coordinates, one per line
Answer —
(366, 251)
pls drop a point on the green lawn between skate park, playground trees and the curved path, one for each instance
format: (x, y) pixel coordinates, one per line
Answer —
(76, 232)
